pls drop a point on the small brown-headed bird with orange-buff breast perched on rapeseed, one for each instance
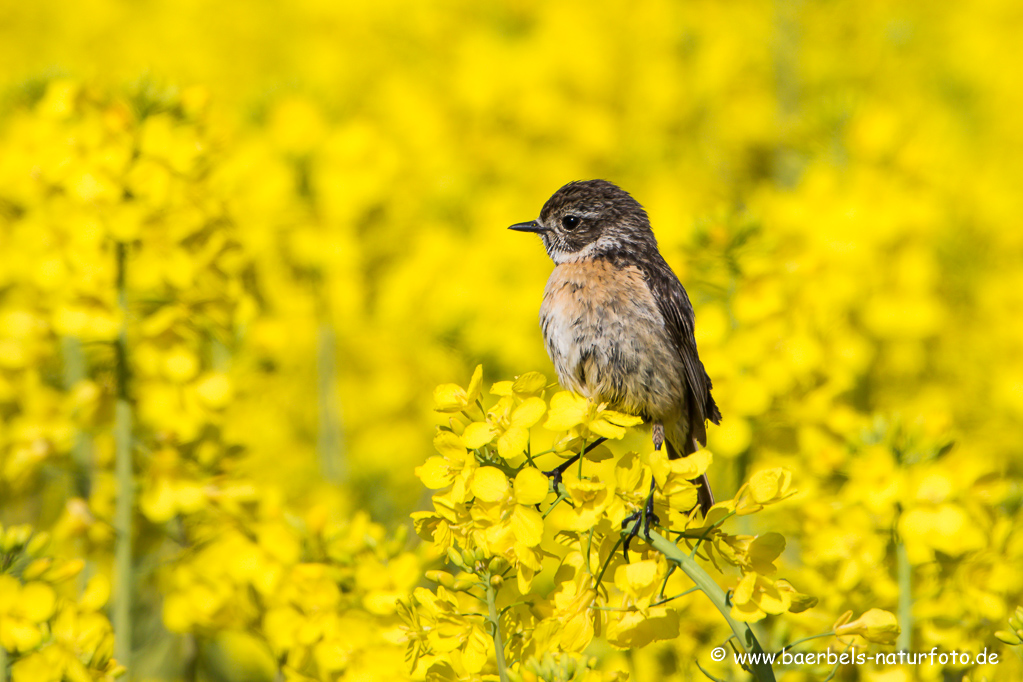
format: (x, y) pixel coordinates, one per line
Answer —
(617, 324)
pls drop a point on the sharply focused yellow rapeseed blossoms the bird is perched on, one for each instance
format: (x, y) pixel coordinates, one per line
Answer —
(507, 526)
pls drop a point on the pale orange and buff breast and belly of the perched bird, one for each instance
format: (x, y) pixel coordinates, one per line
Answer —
(607, 338)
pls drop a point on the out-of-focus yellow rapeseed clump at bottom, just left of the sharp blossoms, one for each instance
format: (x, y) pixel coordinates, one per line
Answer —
(321, 596)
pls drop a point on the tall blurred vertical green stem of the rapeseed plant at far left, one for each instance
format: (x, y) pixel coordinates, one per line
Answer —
(123, 471)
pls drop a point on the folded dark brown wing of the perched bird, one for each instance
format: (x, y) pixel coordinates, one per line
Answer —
(678, 312)
